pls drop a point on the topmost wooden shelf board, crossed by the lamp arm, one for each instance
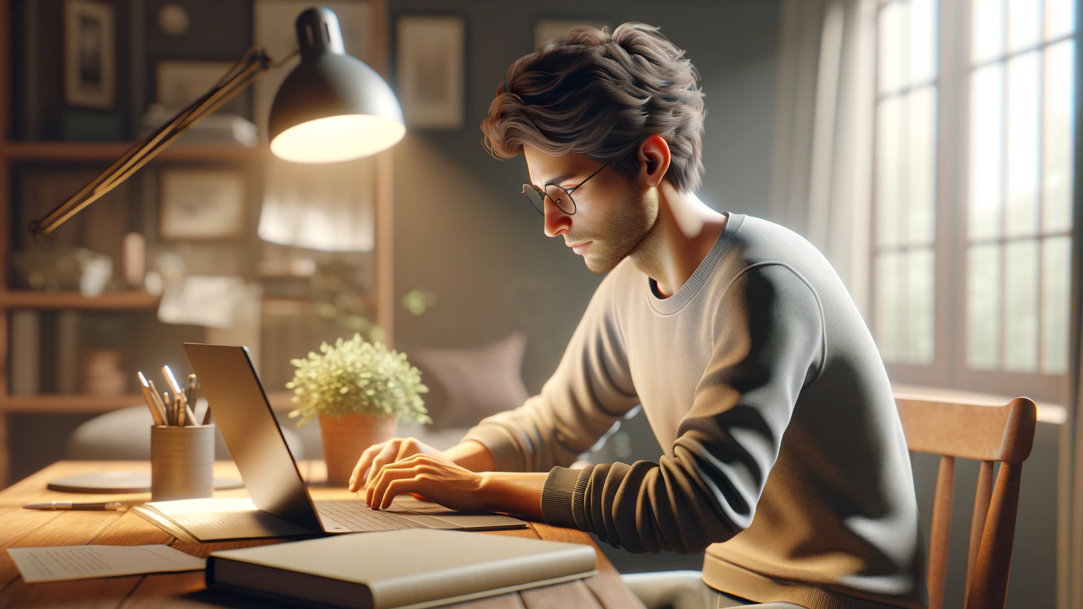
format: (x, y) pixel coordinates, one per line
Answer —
(109, 151)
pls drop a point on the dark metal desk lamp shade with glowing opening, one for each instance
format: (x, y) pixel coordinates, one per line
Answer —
(333, 107)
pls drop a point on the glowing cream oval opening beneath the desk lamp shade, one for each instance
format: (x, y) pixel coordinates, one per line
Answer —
(337, 138)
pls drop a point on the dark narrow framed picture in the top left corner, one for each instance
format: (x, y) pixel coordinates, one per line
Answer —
(90, 61)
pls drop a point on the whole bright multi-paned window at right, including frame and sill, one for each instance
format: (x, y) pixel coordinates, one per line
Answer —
(973, 186)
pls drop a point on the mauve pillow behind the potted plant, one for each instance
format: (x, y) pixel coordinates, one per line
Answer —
(472, 383)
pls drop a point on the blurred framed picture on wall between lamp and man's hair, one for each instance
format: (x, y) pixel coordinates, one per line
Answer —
(430, 71)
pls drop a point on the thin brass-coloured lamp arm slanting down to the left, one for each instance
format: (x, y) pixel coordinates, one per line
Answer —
(253, 66)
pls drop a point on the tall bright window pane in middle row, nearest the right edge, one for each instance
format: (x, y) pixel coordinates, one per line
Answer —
(1058, 141)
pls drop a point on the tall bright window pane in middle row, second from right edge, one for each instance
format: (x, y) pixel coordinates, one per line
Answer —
(1023, 145)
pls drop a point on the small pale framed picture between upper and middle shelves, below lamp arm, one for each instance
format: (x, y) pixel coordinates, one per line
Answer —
(199, 204)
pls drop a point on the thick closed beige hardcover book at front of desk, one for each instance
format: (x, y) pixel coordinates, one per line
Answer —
(409, 568)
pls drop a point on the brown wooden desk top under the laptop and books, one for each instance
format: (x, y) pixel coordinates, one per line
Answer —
(24, 528)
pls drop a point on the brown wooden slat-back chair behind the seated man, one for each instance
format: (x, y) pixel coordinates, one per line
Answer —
(988, 435)
